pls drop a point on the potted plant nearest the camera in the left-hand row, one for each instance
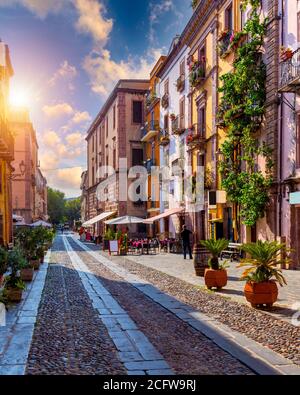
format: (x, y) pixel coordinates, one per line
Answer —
(14, 286)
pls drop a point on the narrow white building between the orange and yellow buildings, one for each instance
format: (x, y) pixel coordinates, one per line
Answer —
(174, 90)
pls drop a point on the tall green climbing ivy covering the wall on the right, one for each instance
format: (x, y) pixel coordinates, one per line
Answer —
(241, 114)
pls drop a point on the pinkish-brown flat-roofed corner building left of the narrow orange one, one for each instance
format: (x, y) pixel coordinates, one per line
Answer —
(116, 134)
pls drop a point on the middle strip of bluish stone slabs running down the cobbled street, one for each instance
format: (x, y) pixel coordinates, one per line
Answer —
(130, 342)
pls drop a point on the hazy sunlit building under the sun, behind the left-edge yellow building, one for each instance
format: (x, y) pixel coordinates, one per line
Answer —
(29, 186)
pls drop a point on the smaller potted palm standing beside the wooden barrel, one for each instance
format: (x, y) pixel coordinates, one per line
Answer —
(216, 275)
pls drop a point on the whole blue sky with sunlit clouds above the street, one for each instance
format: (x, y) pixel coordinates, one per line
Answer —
(67, 56)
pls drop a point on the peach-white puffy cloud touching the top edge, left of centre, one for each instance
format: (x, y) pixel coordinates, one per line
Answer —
(92, 21)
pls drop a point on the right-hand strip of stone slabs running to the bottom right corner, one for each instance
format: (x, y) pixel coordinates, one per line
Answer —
(251, 353)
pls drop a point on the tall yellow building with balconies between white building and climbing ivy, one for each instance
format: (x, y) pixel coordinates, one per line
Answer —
(208, 36)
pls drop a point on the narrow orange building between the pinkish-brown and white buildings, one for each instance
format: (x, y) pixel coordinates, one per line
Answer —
(151, 139)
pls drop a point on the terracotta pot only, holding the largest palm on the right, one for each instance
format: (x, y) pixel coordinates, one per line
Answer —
(259, 294)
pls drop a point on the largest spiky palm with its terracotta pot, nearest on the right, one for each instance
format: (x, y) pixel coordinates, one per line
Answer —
(263, 272)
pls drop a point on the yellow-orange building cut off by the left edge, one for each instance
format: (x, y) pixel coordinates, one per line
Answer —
(6, 148)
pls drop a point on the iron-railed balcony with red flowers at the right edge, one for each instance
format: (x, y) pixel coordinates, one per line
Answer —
(290, 72)
